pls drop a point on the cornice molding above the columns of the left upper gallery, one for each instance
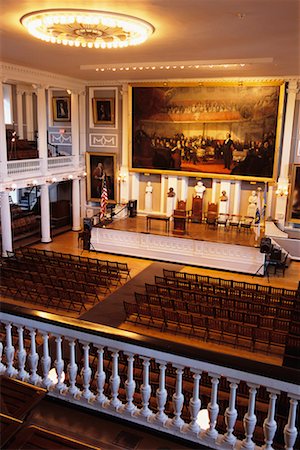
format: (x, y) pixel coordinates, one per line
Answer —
(23, 74)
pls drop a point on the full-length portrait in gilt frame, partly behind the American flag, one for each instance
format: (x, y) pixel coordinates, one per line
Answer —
(100, 167)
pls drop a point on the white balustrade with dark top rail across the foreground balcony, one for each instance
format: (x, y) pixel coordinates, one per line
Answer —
(106, 370)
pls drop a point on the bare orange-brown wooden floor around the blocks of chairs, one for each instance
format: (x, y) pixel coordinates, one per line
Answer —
(68, 243)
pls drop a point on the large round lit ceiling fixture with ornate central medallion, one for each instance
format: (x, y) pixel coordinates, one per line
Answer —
(87, 28)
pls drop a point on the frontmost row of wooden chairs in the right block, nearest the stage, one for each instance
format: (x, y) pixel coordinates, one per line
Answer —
(198, 278)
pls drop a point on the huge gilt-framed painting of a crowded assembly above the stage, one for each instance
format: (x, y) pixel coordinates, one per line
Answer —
(223, 130)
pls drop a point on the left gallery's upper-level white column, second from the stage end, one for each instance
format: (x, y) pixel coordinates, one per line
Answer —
(42, 128)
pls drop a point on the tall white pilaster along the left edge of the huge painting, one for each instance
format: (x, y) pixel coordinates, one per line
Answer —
(124, 185)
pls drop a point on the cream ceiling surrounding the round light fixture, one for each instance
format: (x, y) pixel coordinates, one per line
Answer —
(267, 39)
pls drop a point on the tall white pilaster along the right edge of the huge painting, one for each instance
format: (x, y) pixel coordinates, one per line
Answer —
(281, 201)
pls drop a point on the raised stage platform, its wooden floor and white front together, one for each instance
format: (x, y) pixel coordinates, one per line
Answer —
(218, 248)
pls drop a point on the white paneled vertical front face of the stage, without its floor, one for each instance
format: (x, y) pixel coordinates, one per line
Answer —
(237, 258)
